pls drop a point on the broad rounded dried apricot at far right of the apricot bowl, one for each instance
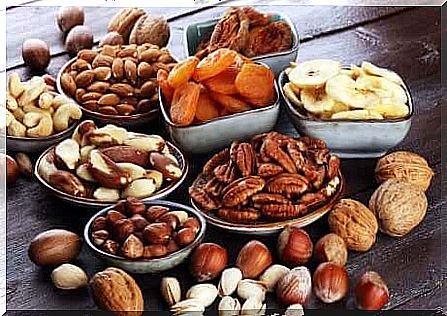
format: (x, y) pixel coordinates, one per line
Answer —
(255, 81)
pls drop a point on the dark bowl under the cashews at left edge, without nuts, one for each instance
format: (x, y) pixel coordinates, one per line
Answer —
(37, 145)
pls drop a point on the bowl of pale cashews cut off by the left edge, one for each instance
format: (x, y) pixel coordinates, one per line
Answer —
(36, 116)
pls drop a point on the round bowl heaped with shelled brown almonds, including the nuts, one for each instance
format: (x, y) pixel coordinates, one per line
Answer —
(116, 84)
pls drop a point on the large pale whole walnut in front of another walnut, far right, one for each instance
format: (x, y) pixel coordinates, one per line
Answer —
(399, 206)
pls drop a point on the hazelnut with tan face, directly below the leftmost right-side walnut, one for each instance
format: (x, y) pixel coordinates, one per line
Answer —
(331, 248)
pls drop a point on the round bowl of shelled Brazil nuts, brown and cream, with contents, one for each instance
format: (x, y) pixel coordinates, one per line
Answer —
(97, 167)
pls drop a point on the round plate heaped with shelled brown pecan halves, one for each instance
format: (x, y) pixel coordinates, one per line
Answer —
(259, 187)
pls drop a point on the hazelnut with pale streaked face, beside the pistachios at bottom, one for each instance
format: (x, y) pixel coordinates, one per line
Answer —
(295, 287)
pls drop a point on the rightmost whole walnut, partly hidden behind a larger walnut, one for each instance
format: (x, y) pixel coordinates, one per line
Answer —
(407, 166)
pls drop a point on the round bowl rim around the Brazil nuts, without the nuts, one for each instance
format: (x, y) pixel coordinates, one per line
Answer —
(95, 204)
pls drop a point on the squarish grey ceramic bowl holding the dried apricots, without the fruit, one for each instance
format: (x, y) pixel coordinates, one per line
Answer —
(220, 132)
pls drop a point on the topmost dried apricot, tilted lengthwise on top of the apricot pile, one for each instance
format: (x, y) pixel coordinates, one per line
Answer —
(214, 63)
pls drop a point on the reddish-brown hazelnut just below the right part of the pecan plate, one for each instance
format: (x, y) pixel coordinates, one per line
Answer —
(294, 246)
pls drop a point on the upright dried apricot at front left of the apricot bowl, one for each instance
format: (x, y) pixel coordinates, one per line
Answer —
(184, 103)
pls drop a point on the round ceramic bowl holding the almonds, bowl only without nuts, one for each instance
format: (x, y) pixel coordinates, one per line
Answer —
(127, 121)
